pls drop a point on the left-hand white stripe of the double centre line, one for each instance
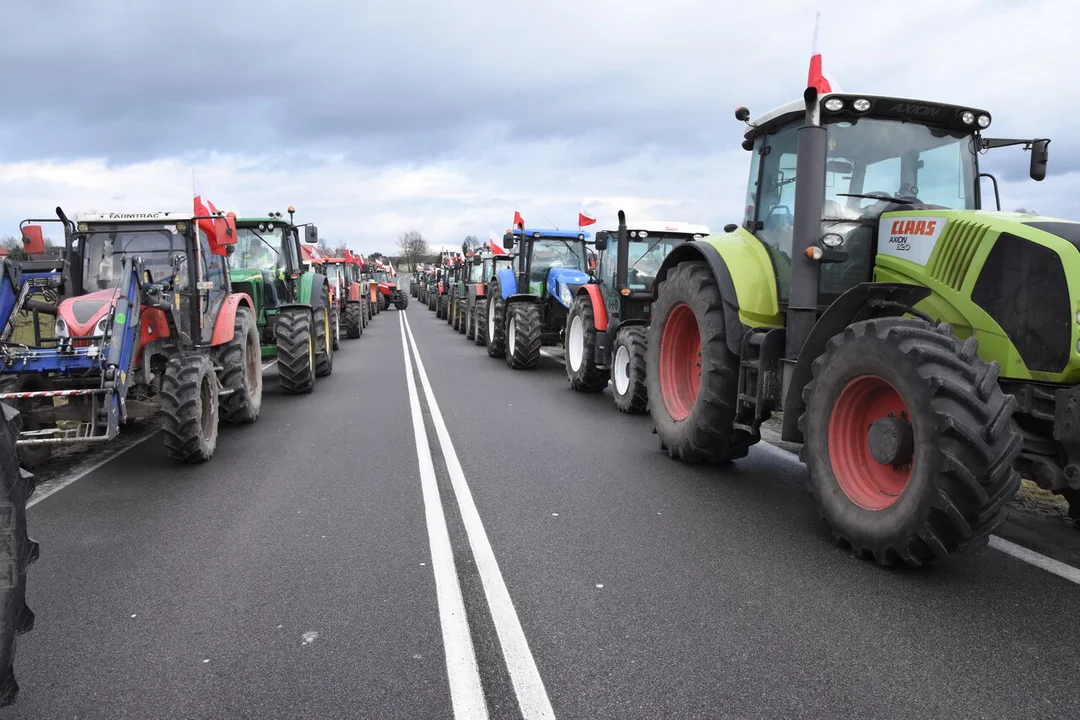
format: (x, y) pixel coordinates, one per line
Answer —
(467, 695)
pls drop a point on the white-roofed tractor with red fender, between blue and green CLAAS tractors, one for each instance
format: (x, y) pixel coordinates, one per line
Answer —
(610, 317)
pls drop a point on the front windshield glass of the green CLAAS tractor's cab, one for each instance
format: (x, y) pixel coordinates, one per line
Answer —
(879, 161)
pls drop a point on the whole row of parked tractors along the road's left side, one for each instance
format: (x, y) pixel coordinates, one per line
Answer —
(166, 316)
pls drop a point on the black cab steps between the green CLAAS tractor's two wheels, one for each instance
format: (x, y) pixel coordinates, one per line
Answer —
(760, 383)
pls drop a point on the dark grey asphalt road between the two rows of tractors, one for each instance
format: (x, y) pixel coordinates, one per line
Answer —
(641, 588)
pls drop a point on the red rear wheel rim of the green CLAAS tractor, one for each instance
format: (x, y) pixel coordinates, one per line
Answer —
(681, 362)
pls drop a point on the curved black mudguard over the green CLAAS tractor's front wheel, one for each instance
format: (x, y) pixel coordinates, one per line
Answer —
(863, 302)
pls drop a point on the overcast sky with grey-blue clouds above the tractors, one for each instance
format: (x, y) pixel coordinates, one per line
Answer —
(375, 118)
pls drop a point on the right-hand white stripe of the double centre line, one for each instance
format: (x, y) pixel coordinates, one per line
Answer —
(532, 695)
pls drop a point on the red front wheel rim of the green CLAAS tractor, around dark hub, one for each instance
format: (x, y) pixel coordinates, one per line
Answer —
(868, 483)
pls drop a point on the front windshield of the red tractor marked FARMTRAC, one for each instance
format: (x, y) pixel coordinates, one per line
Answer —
(104, 251)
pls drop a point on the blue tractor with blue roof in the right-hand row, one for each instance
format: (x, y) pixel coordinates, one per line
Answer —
(530, 302)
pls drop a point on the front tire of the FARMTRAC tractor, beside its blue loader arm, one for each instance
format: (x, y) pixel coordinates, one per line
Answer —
(190, 407)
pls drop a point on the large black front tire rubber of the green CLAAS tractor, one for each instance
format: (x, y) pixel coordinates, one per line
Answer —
(926, 368)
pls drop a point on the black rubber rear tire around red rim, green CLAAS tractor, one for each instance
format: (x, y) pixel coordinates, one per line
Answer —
(708, 436)
